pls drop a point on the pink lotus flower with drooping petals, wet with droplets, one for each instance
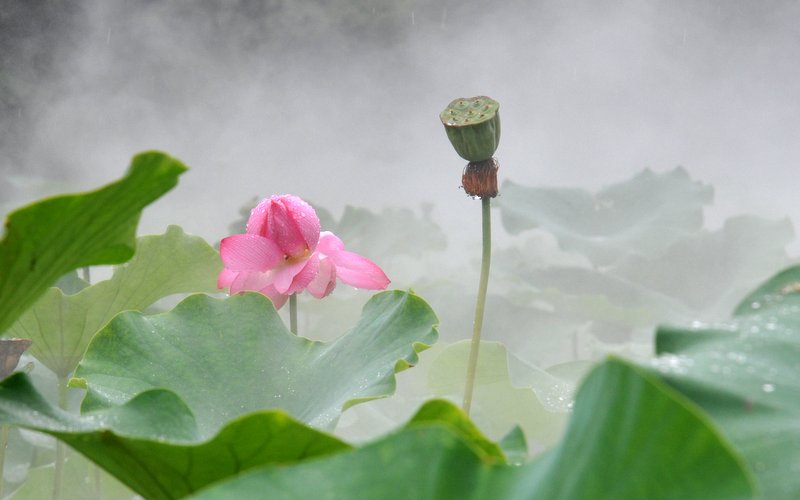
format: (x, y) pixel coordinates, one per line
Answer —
(283, 252)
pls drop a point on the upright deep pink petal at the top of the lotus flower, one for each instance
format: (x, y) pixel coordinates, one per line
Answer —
(293, 225)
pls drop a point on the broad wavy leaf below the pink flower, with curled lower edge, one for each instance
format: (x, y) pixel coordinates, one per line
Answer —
(176, 400)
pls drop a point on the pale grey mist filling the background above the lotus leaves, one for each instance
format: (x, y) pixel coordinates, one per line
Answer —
(339, 103)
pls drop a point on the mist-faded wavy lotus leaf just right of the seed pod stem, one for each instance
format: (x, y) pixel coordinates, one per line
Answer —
(644, 214)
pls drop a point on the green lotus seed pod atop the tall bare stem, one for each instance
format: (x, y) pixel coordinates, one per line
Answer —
(473, 127)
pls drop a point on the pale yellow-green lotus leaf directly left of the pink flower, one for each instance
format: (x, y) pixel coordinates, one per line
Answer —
(61, 325)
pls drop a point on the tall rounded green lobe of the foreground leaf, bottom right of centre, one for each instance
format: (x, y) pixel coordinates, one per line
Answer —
(632, 436)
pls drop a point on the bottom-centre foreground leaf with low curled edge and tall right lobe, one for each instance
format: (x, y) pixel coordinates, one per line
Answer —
(631, 437)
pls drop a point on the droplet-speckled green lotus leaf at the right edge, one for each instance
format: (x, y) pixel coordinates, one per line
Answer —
(745, 374)
